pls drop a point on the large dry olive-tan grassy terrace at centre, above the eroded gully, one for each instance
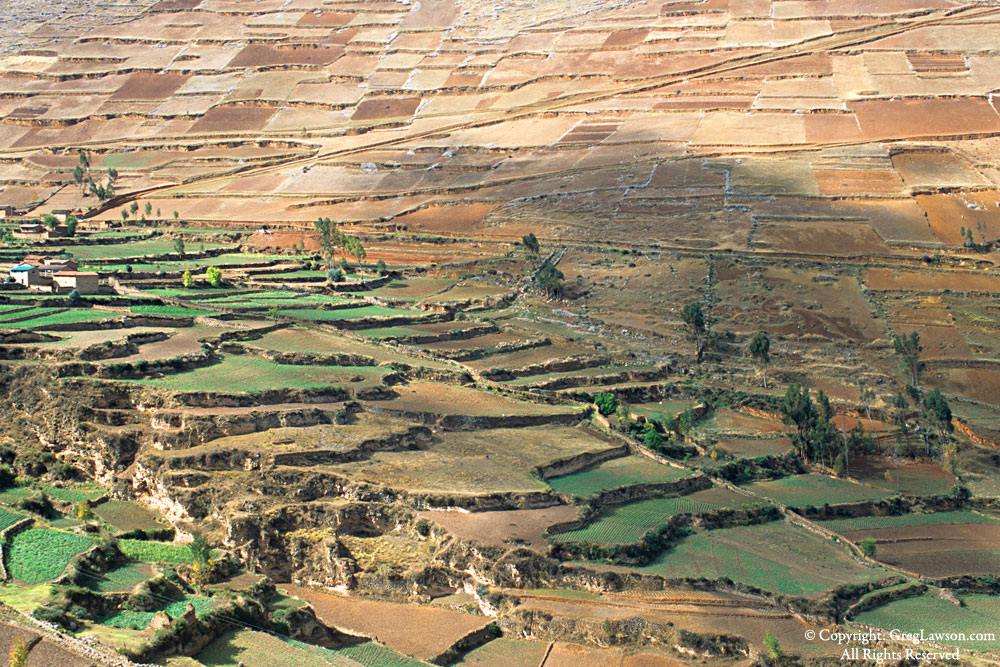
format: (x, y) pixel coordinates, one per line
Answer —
(473, 462)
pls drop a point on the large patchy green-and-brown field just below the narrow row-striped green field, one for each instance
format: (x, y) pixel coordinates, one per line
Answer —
(776, 556)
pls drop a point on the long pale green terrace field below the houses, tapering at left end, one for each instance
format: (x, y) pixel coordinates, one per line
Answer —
(247, 373)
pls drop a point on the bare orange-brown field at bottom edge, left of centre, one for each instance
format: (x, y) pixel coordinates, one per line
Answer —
(423, 632)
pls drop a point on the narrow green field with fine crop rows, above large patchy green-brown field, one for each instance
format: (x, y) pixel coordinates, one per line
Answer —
(628, 523)
